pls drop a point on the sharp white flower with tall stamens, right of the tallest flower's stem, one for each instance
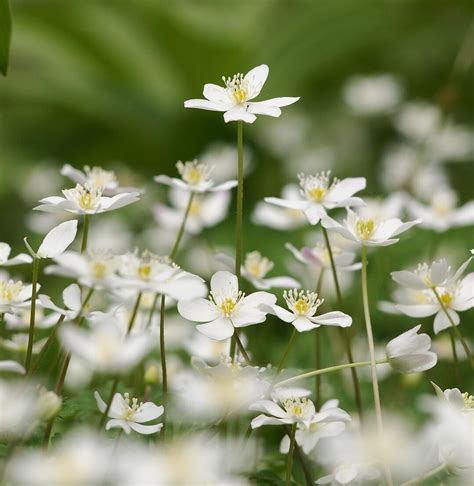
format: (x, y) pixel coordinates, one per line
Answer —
(319, 194)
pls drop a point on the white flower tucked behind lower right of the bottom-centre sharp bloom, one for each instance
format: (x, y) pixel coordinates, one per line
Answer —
(330, 421)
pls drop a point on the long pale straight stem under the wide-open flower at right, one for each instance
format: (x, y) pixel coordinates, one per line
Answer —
(373, 362)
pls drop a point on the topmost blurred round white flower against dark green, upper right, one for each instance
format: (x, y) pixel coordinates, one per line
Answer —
(372, 95)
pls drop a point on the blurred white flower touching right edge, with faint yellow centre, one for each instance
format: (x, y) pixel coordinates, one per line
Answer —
(442, 213)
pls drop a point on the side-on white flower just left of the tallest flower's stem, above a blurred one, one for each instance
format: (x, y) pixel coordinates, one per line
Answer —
(195, 177)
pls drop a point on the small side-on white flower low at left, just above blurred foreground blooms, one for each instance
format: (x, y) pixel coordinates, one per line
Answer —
(130, 414)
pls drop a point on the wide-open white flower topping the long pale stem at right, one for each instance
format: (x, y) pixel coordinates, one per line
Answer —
(368, 232)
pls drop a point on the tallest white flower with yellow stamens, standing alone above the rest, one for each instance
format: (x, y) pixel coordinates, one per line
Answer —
(235, 98)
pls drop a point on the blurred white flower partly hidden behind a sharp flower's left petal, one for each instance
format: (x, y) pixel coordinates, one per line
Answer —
(277, 217)
